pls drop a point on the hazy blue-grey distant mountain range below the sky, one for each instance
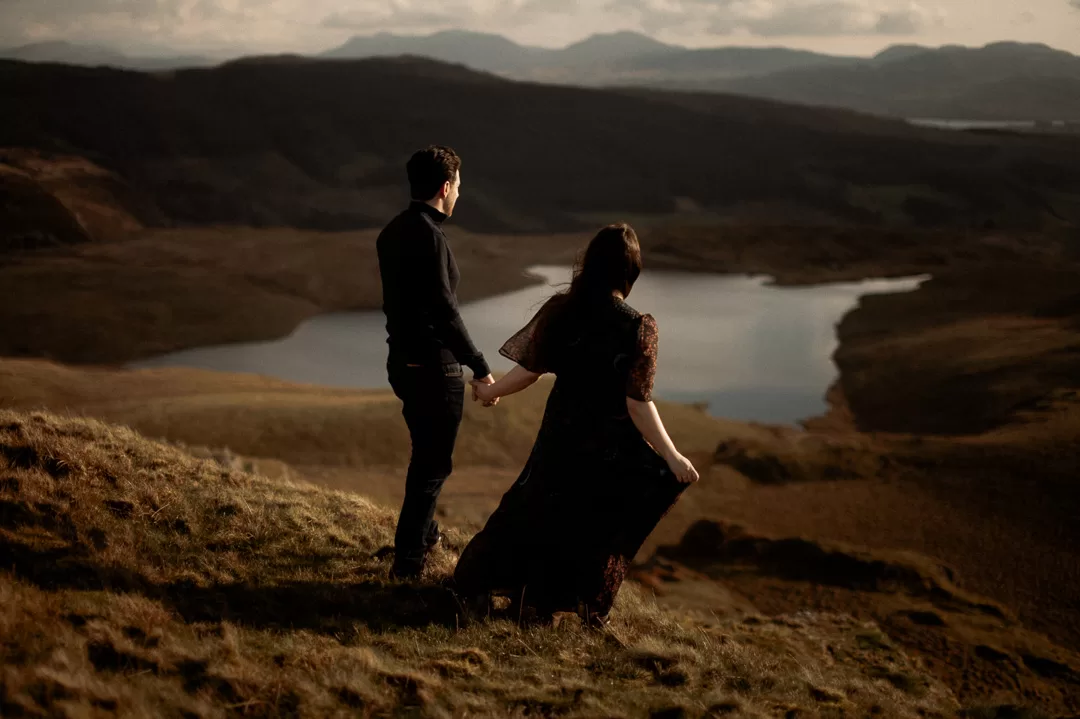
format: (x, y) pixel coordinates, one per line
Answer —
(1002, 82)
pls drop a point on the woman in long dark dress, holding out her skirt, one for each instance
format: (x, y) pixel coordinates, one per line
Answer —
(603, 471)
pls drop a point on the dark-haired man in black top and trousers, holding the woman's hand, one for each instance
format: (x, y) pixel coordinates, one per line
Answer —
(429, 344)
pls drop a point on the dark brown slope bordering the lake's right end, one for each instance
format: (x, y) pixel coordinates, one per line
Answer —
(966, 355)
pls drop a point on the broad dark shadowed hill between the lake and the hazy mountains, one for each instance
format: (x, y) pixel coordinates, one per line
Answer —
(320, 145)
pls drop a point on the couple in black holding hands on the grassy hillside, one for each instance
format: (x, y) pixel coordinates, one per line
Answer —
(603, 471)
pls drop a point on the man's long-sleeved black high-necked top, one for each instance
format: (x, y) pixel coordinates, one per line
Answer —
(420, 293)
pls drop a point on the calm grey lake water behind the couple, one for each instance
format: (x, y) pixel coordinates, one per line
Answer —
(751, 351)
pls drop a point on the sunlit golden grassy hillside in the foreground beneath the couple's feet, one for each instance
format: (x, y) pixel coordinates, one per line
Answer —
(142, 581)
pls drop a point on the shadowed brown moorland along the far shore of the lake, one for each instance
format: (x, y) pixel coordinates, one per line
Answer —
(167, 291)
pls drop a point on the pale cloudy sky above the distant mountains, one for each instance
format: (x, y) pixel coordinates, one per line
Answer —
(856, 28)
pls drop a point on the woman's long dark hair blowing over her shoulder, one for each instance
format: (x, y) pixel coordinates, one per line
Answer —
(612, 263)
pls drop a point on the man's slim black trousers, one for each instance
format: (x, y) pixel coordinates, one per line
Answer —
(434, 398)
